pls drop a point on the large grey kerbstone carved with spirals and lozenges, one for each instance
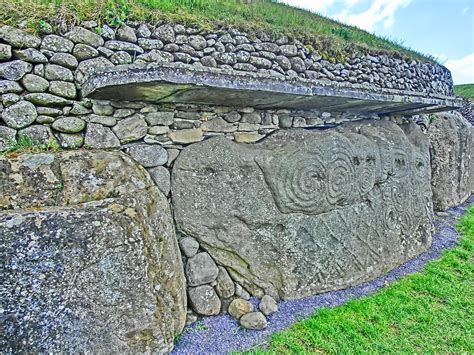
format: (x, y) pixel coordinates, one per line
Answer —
(304, 212)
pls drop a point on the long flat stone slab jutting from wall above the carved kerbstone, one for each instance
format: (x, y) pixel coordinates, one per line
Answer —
(180, 83)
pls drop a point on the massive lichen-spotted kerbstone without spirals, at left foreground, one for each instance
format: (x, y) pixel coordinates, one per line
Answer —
(89, 255)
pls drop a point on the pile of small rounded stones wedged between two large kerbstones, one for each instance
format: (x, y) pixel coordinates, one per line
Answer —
(211, 290)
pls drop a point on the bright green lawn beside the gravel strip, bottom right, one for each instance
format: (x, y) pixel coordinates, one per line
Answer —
(428, 312)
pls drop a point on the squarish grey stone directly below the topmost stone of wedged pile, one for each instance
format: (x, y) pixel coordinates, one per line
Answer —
(201, 269)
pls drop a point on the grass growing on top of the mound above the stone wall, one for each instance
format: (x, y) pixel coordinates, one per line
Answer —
(331, 38)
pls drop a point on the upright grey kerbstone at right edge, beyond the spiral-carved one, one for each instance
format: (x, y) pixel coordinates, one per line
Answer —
(450, 141)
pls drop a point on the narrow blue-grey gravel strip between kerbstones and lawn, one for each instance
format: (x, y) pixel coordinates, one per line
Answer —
(221, 334)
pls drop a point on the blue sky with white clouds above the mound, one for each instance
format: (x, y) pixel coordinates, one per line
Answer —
(442, 28)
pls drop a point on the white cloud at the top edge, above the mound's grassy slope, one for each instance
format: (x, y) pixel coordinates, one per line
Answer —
(380, 11)
